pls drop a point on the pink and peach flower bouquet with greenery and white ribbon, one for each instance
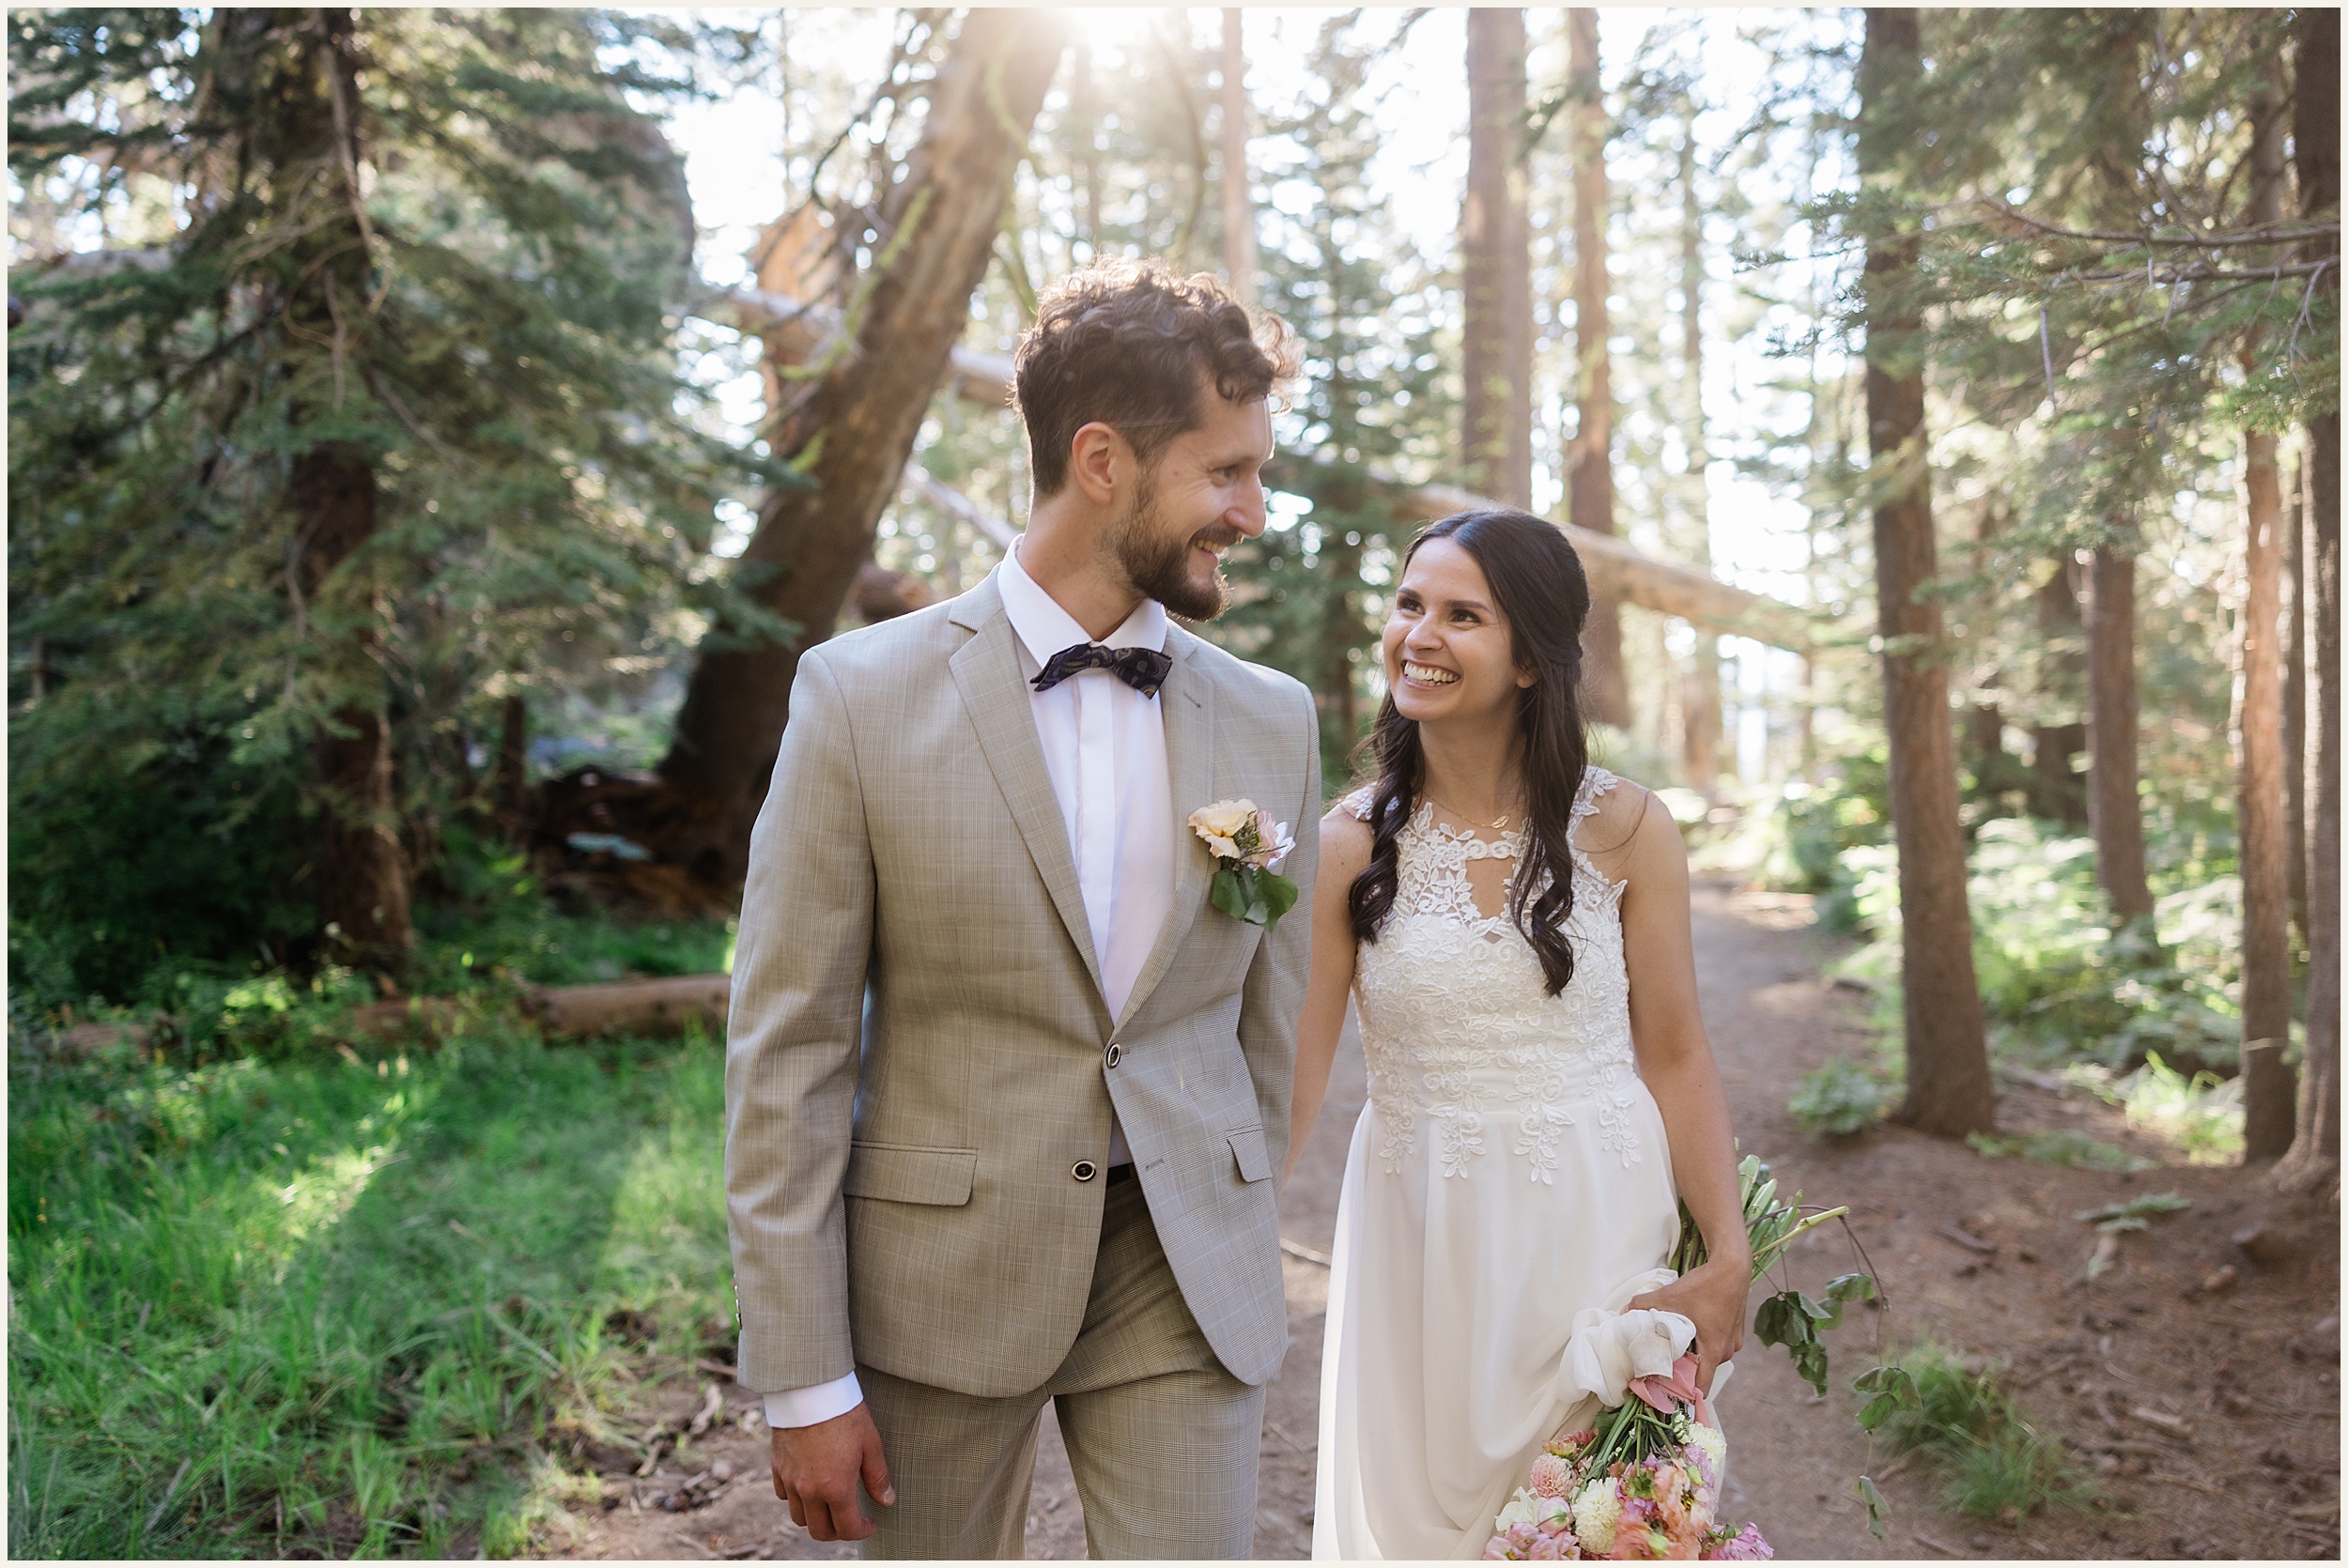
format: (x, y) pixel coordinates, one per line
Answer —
(1645, 1480)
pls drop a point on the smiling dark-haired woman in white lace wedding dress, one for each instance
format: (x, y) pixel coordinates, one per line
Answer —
(1541, 1095)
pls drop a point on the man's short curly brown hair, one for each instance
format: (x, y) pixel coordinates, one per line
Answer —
(1133, 346)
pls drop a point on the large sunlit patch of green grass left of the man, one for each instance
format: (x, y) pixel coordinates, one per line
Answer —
(349, 1306)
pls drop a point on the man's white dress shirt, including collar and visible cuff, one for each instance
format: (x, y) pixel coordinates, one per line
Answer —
(1107, 752)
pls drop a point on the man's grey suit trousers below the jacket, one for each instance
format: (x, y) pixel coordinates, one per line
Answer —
(1163, 1440)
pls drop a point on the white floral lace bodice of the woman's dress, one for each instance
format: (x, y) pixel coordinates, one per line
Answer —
(1464, 1041)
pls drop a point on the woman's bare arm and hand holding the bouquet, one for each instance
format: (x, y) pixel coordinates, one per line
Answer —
(1675, 1062)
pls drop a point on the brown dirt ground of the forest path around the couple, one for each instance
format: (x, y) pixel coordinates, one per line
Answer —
(2206, 1421)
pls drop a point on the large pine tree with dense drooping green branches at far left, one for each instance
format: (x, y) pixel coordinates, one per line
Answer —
(367, 410)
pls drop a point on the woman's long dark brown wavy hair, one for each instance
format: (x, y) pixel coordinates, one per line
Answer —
(1544, 595)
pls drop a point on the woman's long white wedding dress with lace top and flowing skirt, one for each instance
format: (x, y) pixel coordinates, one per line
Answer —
(1509, 1172)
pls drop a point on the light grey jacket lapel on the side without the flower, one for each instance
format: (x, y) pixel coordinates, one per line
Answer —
(987, 675)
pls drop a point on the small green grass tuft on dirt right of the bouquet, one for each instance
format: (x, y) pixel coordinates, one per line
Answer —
(1992, 1464)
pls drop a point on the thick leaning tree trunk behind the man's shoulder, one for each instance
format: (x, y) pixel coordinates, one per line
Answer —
(856, 431)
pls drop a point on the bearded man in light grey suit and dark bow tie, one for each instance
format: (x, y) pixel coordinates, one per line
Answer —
(1004, 1093)
